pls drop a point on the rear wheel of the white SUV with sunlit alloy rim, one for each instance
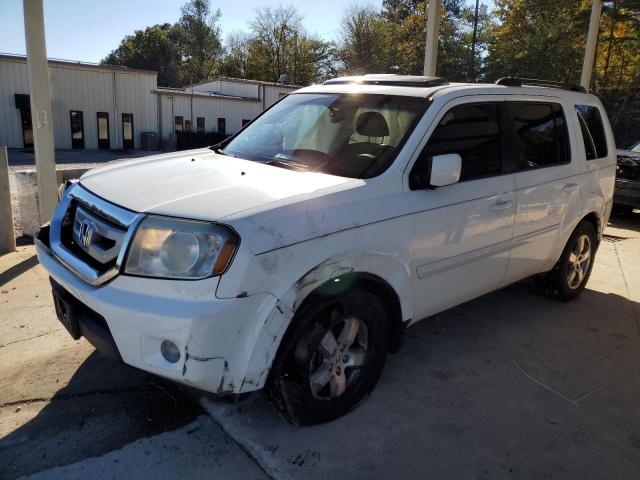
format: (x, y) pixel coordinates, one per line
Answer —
(570, 275)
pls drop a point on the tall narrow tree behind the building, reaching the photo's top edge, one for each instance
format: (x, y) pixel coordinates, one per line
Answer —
(199, 41)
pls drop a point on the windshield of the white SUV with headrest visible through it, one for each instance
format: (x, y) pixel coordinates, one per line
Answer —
(350, 135)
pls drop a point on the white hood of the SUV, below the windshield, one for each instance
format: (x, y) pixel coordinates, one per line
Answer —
(201, 184)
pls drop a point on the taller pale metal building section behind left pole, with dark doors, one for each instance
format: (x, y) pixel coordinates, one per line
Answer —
(93, 106)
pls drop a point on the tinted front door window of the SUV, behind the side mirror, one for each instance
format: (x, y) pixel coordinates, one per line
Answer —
(473, 132)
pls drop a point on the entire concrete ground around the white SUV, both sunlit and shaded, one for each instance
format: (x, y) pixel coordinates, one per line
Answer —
(510, 385)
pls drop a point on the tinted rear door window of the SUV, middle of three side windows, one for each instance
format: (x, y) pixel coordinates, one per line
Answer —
(541, 134)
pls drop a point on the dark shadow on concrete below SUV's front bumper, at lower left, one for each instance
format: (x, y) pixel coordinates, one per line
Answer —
(104, 406)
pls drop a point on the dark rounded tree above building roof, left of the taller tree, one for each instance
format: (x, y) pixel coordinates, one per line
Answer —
(154, 48)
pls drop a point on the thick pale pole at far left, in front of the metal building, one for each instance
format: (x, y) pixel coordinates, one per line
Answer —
(38, 69)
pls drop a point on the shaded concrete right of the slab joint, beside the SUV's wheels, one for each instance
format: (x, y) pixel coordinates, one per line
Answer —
(510, 385)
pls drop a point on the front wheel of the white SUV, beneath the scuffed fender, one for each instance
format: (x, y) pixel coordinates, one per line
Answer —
(331, 358)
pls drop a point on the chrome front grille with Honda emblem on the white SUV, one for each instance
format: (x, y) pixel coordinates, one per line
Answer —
(90, 235)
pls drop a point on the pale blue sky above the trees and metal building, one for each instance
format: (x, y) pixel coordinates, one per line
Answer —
(87, 30)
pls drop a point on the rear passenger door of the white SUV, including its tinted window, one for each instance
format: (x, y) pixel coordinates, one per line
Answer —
(547, 184)
